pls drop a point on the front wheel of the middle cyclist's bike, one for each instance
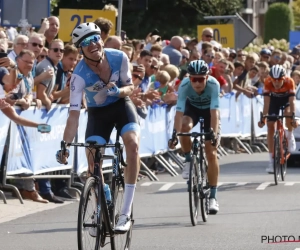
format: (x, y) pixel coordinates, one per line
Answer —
(194, 190)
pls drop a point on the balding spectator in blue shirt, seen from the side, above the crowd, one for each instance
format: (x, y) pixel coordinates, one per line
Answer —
(173, 50)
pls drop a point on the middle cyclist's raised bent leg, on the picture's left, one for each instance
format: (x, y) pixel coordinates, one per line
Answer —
(189, 119)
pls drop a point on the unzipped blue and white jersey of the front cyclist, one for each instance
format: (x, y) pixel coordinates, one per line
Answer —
(85, 79)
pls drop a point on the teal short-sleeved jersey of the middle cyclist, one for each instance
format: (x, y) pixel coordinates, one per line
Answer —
(209, 99)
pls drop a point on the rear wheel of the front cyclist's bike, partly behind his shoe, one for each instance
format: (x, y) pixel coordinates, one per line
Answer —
(119, 241)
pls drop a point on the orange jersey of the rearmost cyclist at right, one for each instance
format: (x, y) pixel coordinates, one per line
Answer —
(287, 89)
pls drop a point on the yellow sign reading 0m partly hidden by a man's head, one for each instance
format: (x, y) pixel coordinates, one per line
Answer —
(223, 34)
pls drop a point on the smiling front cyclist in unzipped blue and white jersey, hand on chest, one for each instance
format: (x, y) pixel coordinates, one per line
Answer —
(105, 77)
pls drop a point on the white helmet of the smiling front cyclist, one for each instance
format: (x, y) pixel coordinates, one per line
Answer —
(83, 31)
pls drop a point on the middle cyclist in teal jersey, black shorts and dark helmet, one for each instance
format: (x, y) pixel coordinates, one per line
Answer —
(198, 96)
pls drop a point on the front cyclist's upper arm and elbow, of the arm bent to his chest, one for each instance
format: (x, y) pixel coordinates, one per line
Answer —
(126, 78)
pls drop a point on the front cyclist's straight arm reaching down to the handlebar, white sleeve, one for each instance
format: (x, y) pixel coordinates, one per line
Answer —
(77, 87)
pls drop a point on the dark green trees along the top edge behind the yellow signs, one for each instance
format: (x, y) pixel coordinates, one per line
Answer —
(170, 17)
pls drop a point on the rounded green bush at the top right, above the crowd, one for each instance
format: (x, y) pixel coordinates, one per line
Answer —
(279, 21)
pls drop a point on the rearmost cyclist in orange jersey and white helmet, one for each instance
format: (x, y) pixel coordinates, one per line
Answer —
(279, 90)
